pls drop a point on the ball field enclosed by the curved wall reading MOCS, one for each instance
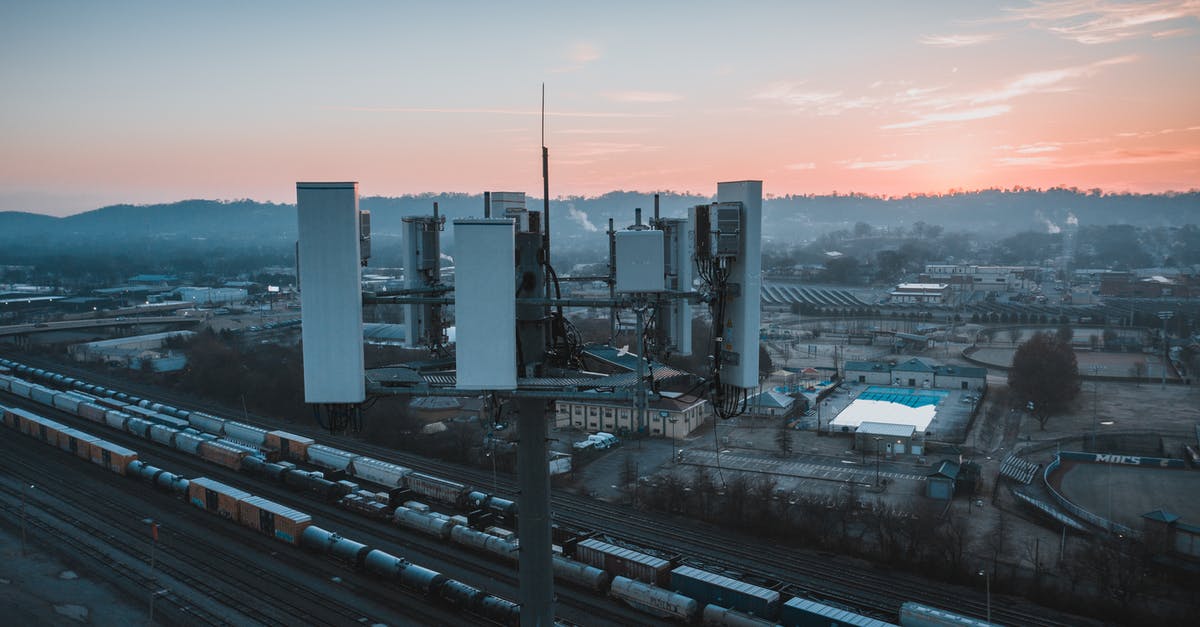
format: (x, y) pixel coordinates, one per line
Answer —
(1124, 493)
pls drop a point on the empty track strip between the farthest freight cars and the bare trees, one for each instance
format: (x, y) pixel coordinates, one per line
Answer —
(813, 575)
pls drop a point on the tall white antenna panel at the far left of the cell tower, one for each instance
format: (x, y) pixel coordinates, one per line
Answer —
(332, 296)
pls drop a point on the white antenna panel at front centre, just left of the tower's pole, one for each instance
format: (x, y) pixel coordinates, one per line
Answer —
(485, 304)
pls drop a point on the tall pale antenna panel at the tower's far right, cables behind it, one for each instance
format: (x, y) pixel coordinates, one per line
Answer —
(742, 310)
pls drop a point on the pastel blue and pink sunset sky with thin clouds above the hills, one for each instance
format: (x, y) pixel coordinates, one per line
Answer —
(142, 103)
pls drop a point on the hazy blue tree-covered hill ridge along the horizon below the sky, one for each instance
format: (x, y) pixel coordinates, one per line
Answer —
(579, 222)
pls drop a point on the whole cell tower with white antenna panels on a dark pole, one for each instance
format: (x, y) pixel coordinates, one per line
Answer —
(514, 344)
